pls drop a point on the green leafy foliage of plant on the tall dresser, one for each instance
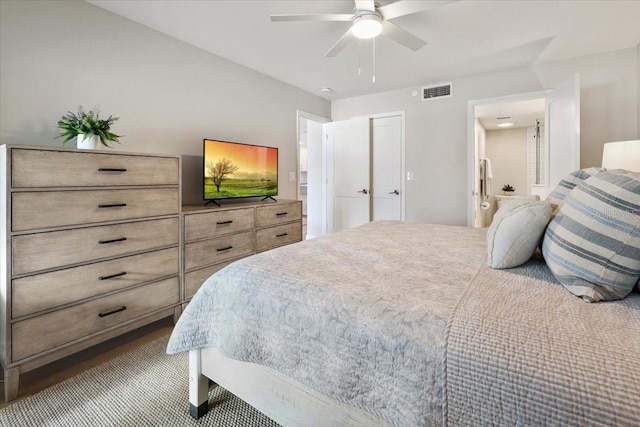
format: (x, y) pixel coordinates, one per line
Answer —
(88, 124)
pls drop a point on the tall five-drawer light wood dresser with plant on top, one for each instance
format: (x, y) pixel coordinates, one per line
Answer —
(90, 249)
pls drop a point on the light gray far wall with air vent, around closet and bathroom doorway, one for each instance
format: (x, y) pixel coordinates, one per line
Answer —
(436, 130)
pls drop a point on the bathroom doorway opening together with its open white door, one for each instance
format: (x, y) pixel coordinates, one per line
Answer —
(525, 143)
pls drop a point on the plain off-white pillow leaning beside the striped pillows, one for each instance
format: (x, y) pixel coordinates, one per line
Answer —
(515, 232)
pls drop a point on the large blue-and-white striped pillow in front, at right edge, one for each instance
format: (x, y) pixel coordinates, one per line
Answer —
(592, 246)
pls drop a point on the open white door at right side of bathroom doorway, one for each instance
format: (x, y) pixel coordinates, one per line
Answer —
(562, 131)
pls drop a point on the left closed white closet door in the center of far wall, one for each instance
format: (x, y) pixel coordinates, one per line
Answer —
(348, 172)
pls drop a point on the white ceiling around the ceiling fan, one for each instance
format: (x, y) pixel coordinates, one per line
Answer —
(464, 38)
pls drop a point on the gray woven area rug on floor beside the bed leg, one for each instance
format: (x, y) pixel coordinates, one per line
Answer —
(144, 387)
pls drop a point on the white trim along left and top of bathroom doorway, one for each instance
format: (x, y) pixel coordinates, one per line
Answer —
(472, 158)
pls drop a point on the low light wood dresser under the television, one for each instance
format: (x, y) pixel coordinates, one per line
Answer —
(215, 237)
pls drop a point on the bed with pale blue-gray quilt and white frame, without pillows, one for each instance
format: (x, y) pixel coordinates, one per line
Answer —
(405, 324)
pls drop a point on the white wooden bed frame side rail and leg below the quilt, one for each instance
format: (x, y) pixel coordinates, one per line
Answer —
(279, 397)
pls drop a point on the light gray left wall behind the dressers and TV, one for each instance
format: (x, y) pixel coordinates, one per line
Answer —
(57, 55)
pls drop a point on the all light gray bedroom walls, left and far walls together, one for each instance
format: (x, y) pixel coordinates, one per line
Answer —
(169, 95)
